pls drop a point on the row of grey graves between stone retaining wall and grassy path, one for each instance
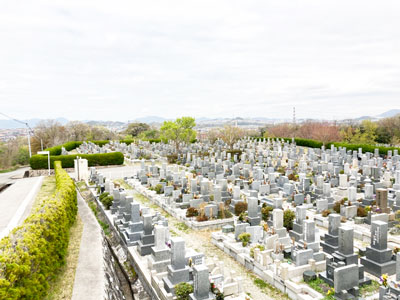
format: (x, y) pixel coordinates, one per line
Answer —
(162, 258)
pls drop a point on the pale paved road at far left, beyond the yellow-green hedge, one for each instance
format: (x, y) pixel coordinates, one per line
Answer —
(16, 202)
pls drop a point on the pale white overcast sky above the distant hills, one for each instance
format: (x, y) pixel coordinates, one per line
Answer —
(120, 60)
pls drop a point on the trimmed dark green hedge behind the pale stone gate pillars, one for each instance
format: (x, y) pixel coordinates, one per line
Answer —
(102, 159)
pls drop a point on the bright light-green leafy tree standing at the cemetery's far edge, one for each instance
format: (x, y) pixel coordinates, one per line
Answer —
(178, 131)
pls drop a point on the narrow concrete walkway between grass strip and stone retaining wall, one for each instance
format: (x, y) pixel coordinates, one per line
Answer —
(89, 278)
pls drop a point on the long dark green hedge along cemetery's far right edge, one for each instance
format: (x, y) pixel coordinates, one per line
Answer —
(319, 144)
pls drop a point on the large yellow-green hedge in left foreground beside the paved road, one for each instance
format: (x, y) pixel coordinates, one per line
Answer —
(33, 252)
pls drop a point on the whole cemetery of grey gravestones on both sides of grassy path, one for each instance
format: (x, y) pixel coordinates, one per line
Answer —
(281, 211)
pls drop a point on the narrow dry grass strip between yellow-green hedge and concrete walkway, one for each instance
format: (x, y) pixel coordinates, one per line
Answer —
(62, 286)
